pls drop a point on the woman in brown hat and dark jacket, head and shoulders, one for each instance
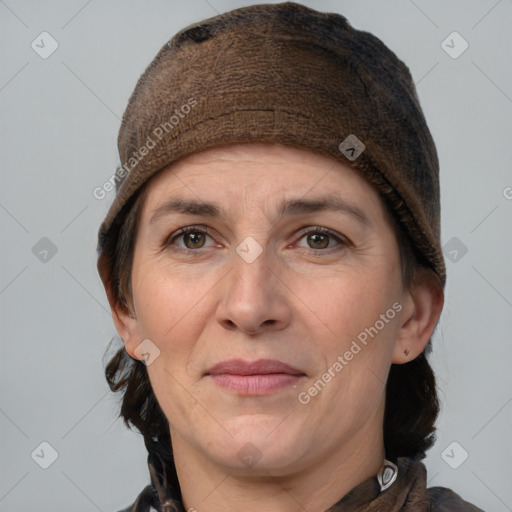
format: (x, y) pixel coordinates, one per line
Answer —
(272, 261)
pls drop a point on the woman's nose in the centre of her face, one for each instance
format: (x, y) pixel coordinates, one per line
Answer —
(253, 298)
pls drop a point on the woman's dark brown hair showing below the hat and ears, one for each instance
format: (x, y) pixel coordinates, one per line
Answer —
(412, 404)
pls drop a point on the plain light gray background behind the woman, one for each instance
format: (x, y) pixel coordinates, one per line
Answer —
(59, 122)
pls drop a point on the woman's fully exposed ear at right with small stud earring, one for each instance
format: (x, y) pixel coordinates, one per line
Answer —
(423, 303)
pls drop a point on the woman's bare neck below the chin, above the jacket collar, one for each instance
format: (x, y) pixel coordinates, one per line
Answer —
(209, 487)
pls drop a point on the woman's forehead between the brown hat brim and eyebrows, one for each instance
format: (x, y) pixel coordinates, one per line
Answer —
(259, 173)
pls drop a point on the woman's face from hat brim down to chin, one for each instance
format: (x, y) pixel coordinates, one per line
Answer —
(269, 327)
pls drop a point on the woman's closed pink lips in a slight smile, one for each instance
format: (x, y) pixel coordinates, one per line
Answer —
(255, 378)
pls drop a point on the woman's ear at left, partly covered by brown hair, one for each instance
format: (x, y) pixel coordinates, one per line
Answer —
(125, 321)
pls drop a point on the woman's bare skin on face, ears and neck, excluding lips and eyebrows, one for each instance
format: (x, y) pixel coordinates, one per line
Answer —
(293, 303)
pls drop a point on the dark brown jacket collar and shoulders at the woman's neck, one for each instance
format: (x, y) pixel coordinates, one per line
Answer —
(408, 493)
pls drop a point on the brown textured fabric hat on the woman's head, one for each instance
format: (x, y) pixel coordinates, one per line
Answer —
(289, 74)
